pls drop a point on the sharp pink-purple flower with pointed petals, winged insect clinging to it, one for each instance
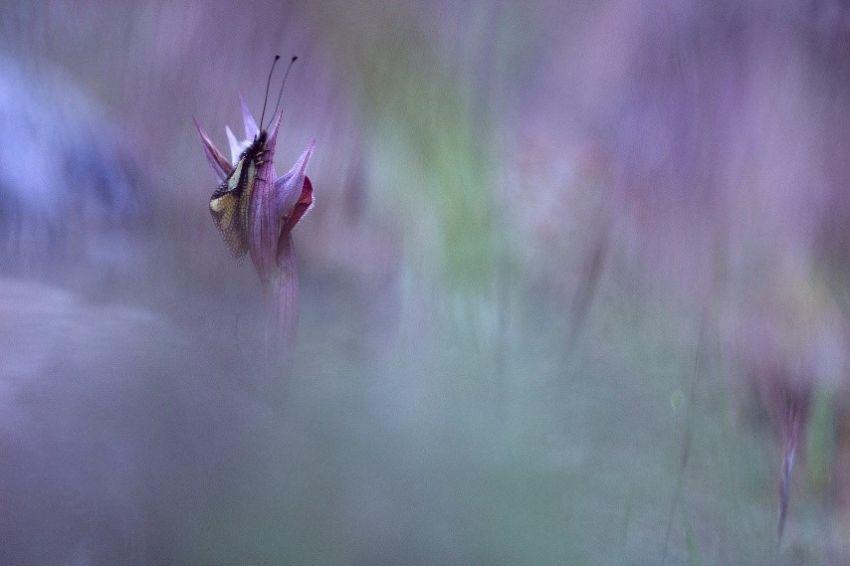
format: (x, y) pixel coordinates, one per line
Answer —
(274, 206)
